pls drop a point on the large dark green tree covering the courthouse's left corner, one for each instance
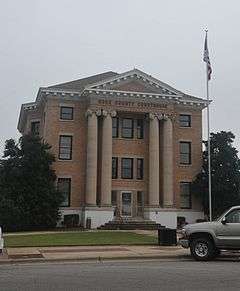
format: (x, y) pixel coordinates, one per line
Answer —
(28, 195)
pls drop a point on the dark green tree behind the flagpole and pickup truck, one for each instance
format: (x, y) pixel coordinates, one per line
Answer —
(225, 171)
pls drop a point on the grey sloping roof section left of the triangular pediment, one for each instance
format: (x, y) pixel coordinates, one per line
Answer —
(80, 84)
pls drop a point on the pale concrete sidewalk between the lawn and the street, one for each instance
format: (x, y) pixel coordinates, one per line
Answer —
(78, 253)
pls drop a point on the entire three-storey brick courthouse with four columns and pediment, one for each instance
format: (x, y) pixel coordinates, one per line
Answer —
(127, 147)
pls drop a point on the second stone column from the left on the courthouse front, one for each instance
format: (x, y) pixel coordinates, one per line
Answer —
(106, 171)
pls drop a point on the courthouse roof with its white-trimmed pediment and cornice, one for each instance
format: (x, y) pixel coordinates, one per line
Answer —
(123, 83)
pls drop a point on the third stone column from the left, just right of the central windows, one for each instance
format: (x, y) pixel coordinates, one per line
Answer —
(153, 160)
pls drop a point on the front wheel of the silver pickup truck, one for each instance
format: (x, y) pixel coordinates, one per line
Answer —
(202, 249)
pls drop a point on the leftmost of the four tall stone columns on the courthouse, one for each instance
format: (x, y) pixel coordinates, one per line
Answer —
(91, 179)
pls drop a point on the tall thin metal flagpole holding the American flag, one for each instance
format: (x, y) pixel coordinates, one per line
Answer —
(209, 145)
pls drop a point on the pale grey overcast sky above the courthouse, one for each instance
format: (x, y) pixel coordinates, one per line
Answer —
(44, 42)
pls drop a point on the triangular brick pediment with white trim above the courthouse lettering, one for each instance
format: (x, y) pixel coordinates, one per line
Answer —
(135, 81)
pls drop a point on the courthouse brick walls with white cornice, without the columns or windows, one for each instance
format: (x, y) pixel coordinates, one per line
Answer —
(128, 99)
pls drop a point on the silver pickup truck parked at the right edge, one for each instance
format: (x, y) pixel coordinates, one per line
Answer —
(207, 239)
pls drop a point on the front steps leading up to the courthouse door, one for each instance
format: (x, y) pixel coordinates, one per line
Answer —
(131, 224)
